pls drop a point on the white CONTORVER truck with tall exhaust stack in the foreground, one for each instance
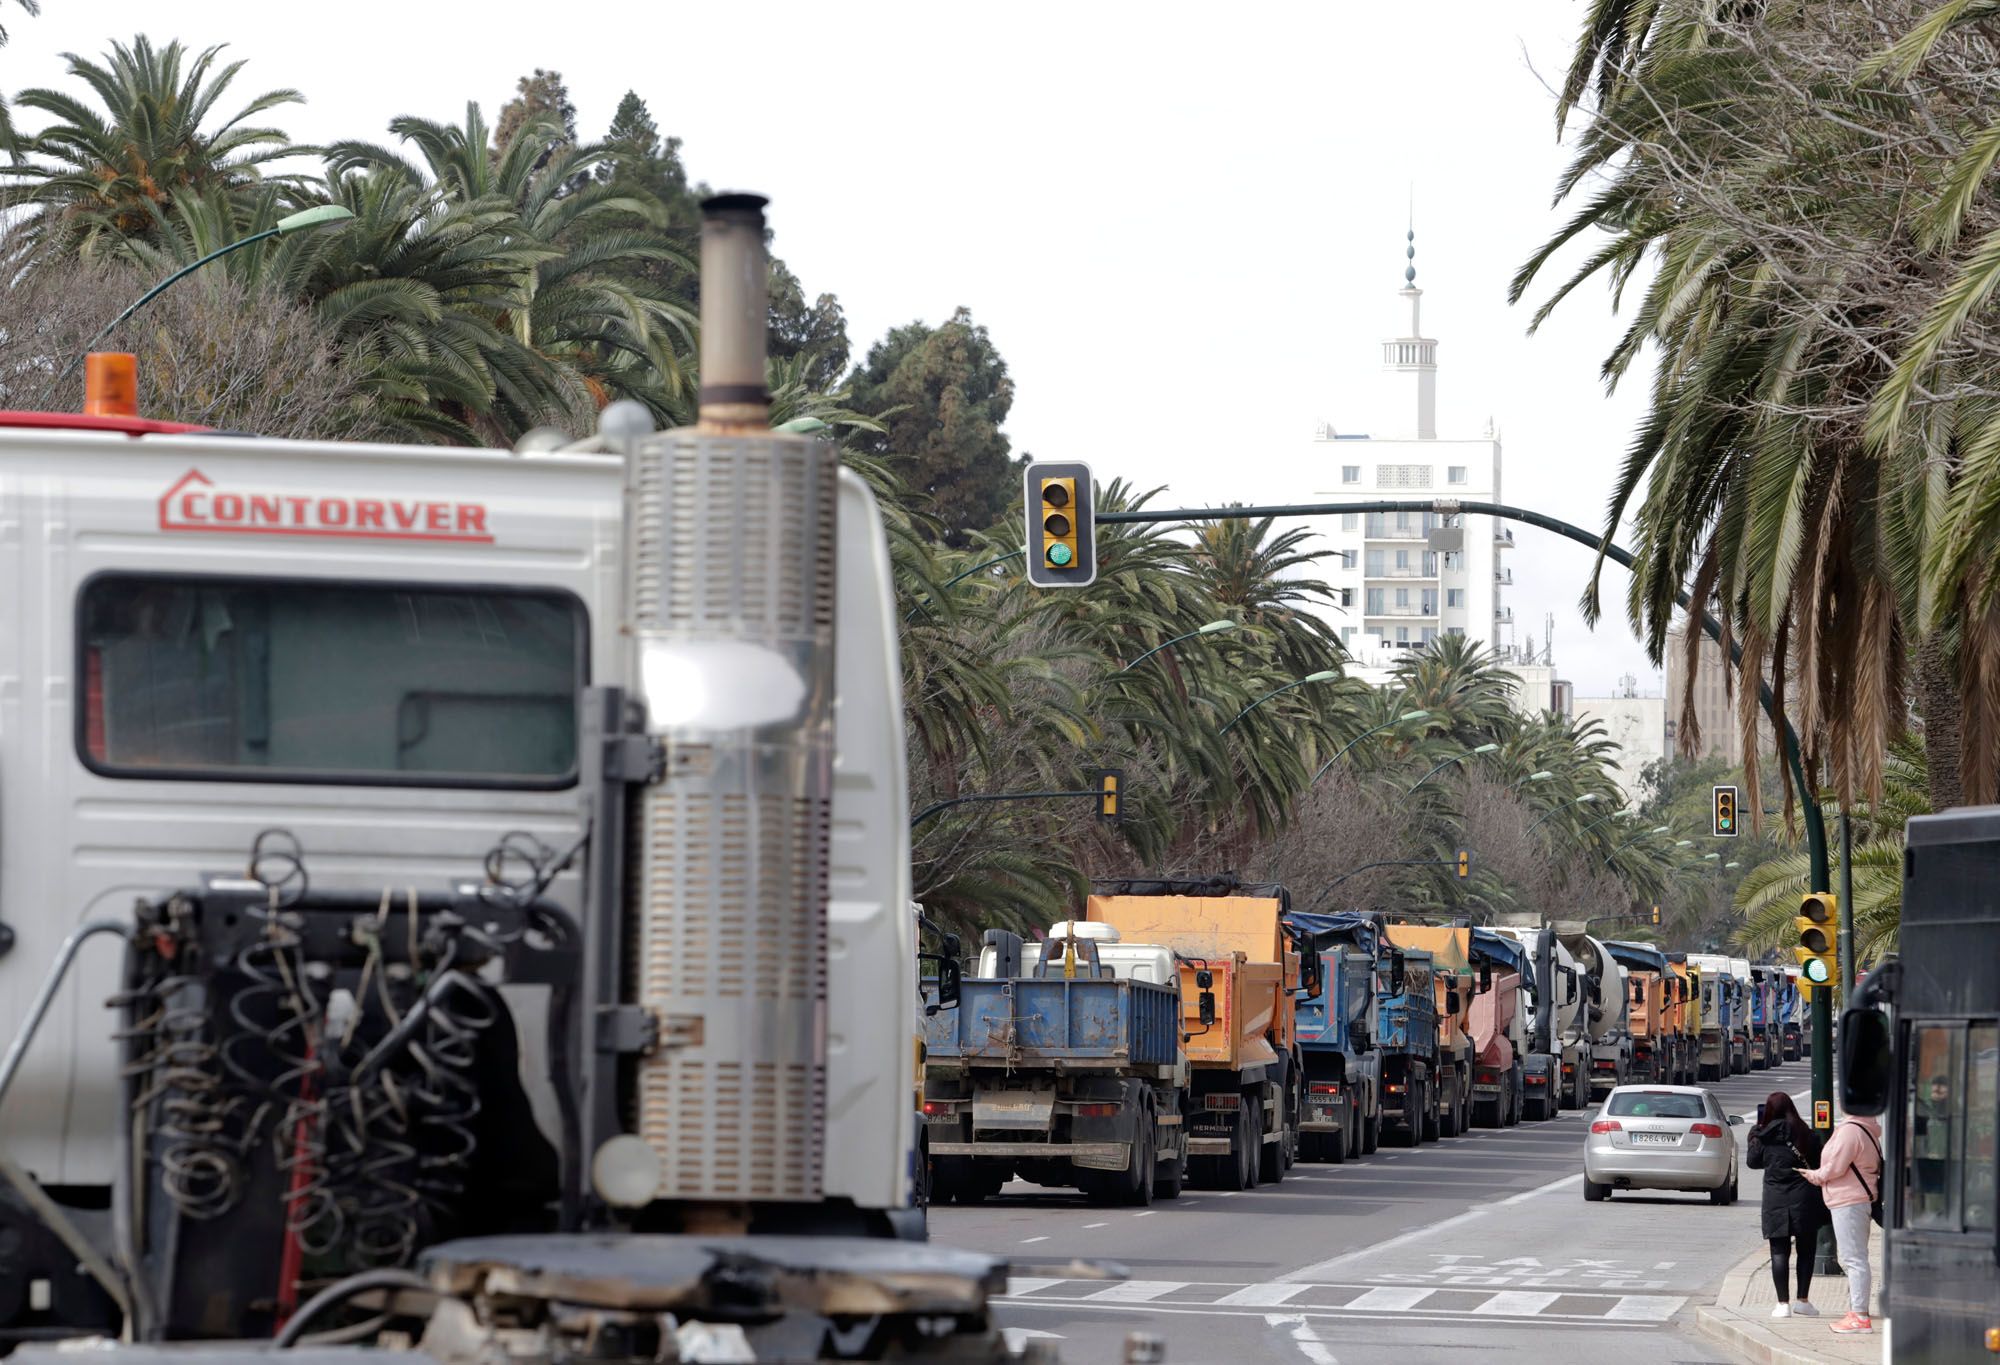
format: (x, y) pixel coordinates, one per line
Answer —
(513, 852)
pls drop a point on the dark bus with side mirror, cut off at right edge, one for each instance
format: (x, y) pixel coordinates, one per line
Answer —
(1921, 1048)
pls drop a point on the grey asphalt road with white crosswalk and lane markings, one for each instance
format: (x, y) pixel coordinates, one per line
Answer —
(1475, 1244)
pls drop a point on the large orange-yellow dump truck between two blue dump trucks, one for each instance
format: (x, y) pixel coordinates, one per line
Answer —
(1239, 980)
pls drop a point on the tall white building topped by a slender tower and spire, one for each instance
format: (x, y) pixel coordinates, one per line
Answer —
(1411, 577)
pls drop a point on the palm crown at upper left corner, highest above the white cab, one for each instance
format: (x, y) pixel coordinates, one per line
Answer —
(99, 175)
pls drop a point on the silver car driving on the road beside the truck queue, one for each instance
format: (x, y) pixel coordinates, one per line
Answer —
(1661, 1138)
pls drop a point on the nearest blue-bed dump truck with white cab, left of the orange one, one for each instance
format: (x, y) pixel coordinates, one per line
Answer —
(1063, 1064)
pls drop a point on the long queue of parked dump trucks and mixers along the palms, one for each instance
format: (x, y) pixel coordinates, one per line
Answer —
(1207, 1032)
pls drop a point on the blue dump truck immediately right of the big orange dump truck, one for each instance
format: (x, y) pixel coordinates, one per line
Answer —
(1337, 1038)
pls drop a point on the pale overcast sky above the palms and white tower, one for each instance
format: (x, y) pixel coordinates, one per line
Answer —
(1183, 225)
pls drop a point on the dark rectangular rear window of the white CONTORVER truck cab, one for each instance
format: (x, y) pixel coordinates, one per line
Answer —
(257, 679)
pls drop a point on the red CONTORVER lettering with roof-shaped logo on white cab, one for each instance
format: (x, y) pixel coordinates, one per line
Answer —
(195, 503)
